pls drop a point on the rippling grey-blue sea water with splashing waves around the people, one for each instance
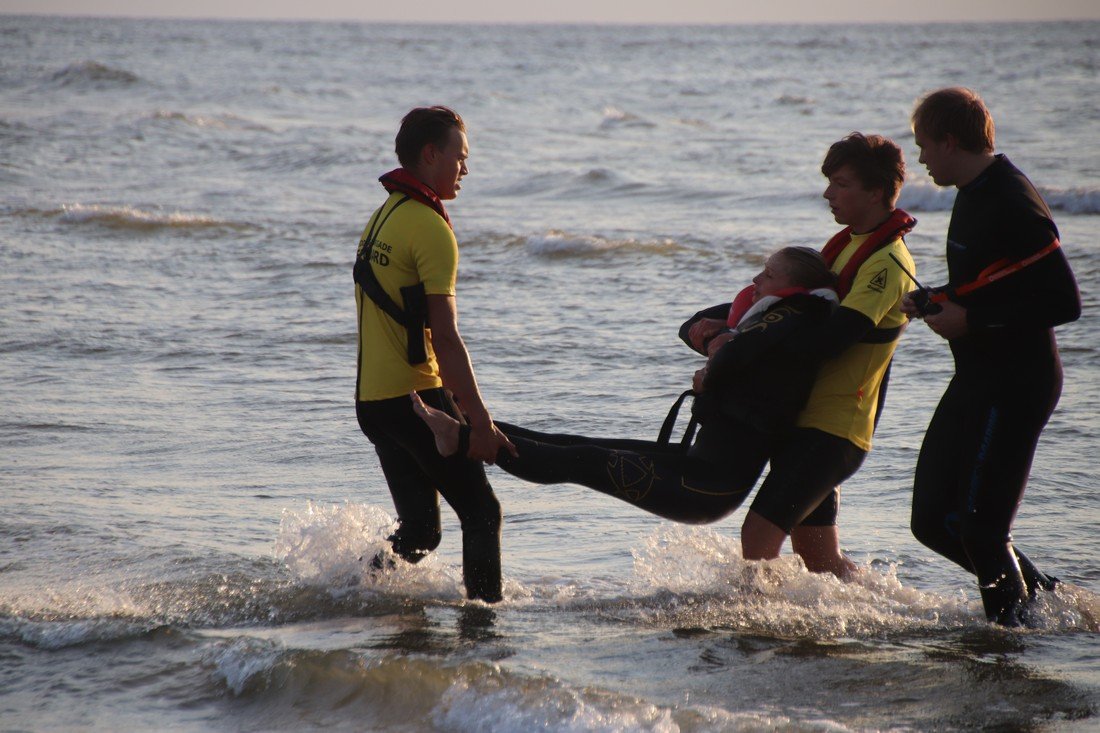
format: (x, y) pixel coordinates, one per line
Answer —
(185, 495)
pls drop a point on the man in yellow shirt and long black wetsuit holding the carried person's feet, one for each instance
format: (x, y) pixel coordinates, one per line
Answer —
(410, 342)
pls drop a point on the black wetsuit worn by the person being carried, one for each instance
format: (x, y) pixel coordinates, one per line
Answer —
(755, 387)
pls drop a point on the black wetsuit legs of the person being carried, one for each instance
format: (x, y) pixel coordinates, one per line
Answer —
(689, 487)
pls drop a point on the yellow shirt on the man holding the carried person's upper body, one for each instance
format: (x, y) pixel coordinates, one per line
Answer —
(845, 397)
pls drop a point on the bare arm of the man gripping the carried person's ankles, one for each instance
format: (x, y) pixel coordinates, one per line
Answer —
(458, 375)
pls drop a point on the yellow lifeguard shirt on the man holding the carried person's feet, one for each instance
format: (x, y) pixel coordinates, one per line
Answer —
(414, 246)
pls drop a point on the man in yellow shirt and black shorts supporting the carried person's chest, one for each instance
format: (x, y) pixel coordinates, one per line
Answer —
(800, 497)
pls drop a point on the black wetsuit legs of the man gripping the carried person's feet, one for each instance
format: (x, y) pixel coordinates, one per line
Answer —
(416, 472)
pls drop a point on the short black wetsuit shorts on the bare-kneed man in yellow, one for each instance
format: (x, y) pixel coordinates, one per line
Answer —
(807, 468)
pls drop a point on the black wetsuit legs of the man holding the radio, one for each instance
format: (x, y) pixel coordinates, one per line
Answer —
(971, 479)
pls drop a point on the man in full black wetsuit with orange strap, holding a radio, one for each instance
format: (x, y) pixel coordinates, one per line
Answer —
(1009, 286)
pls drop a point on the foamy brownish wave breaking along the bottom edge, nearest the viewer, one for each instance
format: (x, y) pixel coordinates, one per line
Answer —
(413, 694)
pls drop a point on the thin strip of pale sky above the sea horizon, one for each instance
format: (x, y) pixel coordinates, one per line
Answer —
(578, 12)
